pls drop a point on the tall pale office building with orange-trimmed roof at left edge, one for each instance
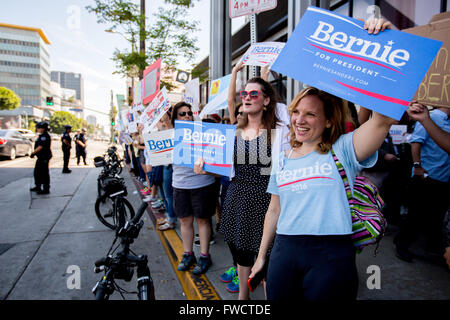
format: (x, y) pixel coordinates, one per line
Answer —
(25, 69)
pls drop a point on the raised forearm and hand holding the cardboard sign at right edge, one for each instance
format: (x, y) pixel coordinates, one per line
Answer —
(420, 113)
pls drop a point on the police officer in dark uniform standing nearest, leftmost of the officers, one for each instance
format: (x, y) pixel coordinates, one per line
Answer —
(43, 152)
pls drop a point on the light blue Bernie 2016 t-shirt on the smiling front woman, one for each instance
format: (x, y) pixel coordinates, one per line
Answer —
(312, 193)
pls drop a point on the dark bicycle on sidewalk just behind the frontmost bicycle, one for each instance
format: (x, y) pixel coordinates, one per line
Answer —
(112, 204)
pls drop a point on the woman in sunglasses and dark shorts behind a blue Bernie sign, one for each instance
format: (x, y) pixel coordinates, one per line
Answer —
(193, 197)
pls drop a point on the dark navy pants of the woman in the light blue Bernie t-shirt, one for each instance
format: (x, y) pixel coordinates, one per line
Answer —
(312, 268)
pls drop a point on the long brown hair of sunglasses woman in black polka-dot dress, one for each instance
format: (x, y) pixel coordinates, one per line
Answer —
(269, 116)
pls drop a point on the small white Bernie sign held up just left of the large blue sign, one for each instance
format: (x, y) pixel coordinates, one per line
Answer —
(262, 54)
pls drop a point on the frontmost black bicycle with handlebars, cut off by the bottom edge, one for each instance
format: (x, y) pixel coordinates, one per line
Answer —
(122, 265)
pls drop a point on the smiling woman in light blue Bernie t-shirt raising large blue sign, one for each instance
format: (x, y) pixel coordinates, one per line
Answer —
(313, 256)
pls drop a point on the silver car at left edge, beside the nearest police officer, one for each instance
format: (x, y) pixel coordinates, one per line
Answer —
(13, 143)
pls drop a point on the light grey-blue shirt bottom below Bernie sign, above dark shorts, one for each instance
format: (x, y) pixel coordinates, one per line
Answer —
(186, 178)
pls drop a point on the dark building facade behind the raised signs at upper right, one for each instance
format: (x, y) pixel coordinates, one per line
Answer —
(226, 49)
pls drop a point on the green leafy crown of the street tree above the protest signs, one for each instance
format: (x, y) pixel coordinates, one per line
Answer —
(169, 38)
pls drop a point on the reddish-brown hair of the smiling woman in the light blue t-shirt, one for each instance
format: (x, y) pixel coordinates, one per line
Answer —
(334, 112)
